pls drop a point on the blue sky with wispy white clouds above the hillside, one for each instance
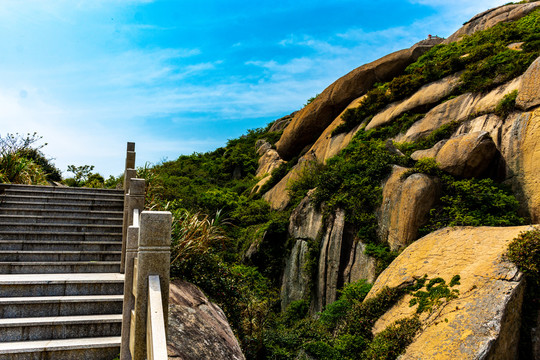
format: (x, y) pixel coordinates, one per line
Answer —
(179, 77)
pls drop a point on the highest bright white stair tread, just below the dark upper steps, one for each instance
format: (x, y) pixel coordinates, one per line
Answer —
(60, 278)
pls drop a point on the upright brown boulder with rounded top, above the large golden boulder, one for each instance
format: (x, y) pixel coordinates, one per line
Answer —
(405, 206)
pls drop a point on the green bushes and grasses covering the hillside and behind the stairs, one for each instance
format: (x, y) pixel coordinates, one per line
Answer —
(234, 245)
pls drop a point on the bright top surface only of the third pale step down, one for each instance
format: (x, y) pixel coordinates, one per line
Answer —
(55, 320)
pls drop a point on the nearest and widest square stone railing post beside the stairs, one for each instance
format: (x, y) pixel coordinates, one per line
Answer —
(153, 258)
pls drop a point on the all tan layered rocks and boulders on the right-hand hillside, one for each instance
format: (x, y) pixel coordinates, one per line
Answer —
(483, 322)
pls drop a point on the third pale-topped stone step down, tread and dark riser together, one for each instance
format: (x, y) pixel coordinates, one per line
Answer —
(60, 327)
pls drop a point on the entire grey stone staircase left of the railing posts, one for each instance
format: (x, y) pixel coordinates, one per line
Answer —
(60, 286)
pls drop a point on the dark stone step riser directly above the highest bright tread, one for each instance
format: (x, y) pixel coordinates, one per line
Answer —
(58, 267)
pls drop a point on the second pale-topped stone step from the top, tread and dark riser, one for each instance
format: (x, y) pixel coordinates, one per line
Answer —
(22, 307)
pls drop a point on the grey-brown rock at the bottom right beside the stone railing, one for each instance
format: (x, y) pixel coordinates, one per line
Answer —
(198, 329)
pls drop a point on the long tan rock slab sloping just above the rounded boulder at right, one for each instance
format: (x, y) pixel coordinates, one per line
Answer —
(459, 109)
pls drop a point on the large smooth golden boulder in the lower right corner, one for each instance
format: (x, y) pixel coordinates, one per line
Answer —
(483, 321)
